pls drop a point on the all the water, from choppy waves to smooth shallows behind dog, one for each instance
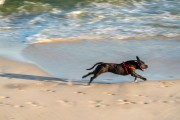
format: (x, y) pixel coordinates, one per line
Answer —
(64, 37)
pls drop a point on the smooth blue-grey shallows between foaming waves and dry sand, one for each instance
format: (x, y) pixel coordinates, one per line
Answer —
(63, 61)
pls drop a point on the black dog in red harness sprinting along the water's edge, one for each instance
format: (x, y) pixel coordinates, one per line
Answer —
(125, 68)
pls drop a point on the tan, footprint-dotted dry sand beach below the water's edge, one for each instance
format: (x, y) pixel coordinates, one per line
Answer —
(28, 93)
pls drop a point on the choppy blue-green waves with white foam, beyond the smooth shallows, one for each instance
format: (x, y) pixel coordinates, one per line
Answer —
(91, 18)
